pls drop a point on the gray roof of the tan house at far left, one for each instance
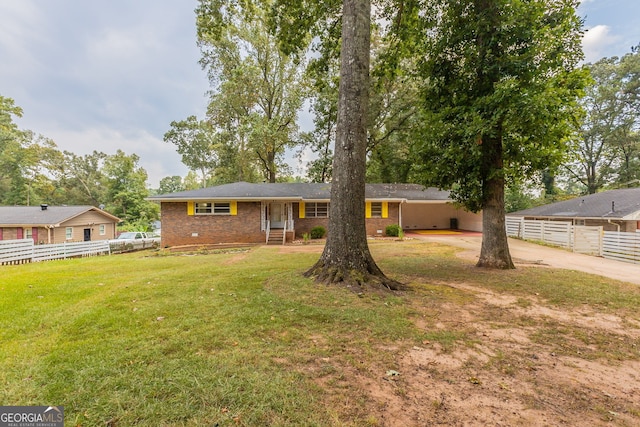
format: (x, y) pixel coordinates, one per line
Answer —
(36, 216)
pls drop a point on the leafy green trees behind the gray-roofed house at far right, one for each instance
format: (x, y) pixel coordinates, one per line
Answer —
(604, 152)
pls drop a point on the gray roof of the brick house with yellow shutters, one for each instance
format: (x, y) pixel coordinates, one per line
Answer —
(302, 191)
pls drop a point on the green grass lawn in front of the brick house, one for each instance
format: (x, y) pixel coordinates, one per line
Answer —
(229, 338)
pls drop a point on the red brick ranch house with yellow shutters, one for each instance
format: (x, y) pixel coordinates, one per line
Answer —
(247, 213)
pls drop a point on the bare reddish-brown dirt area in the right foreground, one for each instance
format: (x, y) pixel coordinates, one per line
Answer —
(514, 361)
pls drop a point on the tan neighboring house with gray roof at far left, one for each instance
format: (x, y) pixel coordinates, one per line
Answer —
(56, 224)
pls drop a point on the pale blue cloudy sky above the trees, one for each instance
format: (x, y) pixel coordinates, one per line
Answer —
(113, 74)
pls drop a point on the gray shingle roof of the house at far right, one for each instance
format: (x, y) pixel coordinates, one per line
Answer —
(621, 204)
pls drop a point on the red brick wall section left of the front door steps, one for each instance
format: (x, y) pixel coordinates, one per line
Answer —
(178, 227)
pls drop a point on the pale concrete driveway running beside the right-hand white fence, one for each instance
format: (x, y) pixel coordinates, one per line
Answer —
(525, 253)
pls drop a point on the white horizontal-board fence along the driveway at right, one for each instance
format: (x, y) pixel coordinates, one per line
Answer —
(582, 239)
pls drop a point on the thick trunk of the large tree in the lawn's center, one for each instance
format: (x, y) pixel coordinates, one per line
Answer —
(346, 257)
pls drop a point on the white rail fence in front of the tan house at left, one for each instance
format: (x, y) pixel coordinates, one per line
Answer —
(24, 251)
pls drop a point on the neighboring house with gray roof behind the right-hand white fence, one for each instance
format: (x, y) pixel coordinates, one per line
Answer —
(614, 210)
